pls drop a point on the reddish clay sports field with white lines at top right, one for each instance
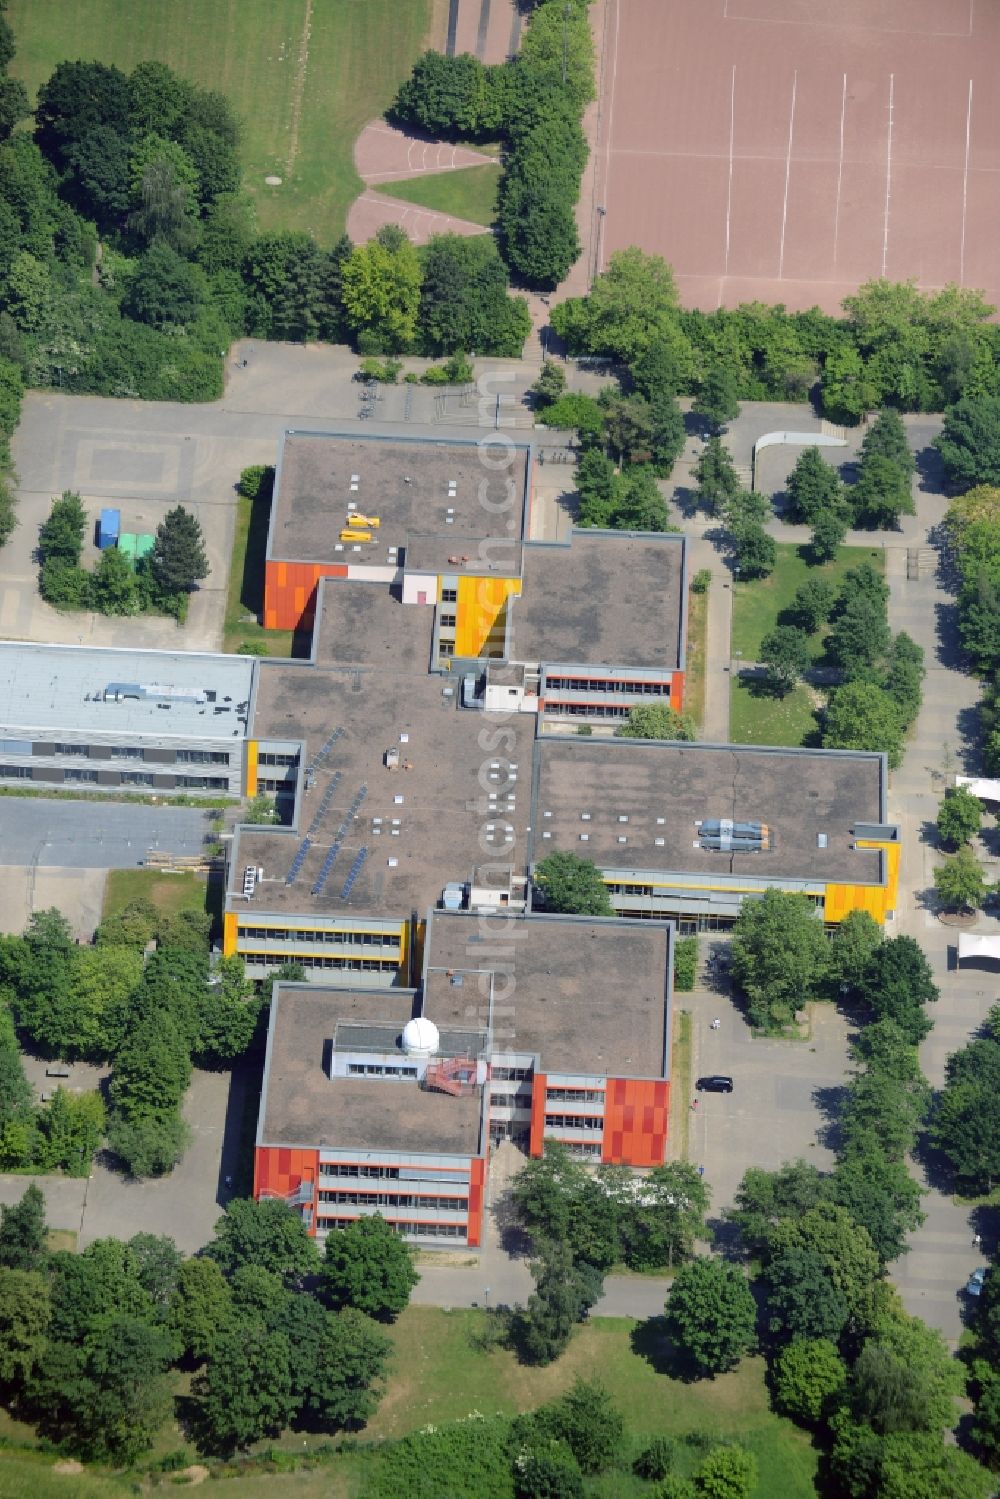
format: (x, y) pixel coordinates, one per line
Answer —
(788, 151)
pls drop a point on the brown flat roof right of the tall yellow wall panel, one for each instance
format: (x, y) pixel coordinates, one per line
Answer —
(608, 599)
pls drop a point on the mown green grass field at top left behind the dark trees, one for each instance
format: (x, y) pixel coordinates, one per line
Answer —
(305, 77)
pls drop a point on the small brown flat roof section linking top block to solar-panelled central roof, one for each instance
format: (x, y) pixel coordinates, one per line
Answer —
(367, 624)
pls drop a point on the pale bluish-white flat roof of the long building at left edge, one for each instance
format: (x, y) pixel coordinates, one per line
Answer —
(164, 693)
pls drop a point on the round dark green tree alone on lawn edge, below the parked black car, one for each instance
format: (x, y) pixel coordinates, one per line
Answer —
(711, 1315)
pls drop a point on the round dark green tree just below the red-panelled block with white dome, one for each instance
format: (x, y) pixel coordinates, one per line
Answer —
(370, 1267)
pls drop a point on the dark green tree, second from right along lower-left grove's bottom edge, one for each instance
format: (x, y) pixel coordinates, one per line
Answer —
(245, 1392)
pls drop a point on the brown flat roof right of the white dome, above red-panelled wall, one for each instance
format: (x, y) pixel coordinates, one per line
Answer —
(587, 996)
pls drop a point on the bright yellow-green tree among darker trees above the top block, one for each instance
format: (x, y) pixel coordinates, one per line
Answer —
(382, 292)
